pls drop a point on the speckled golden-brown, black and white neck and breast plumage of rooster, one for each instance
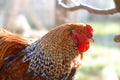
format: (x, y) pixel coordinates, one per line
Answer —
(54, 54)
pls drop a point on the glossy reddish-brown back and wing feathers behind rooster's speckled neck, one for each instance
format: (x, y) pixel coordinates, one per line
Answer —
(11, 44)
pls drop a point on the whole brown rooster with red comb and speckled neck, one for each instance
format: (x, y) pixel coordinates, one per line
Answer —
(53, 57)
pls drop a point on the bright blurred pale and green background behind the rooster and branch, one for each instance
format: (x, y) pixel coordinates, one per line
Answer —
(34, 18)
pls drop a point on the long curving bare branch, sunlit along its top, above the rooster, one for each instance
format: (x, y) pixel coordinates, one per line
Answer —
(90, 9)
